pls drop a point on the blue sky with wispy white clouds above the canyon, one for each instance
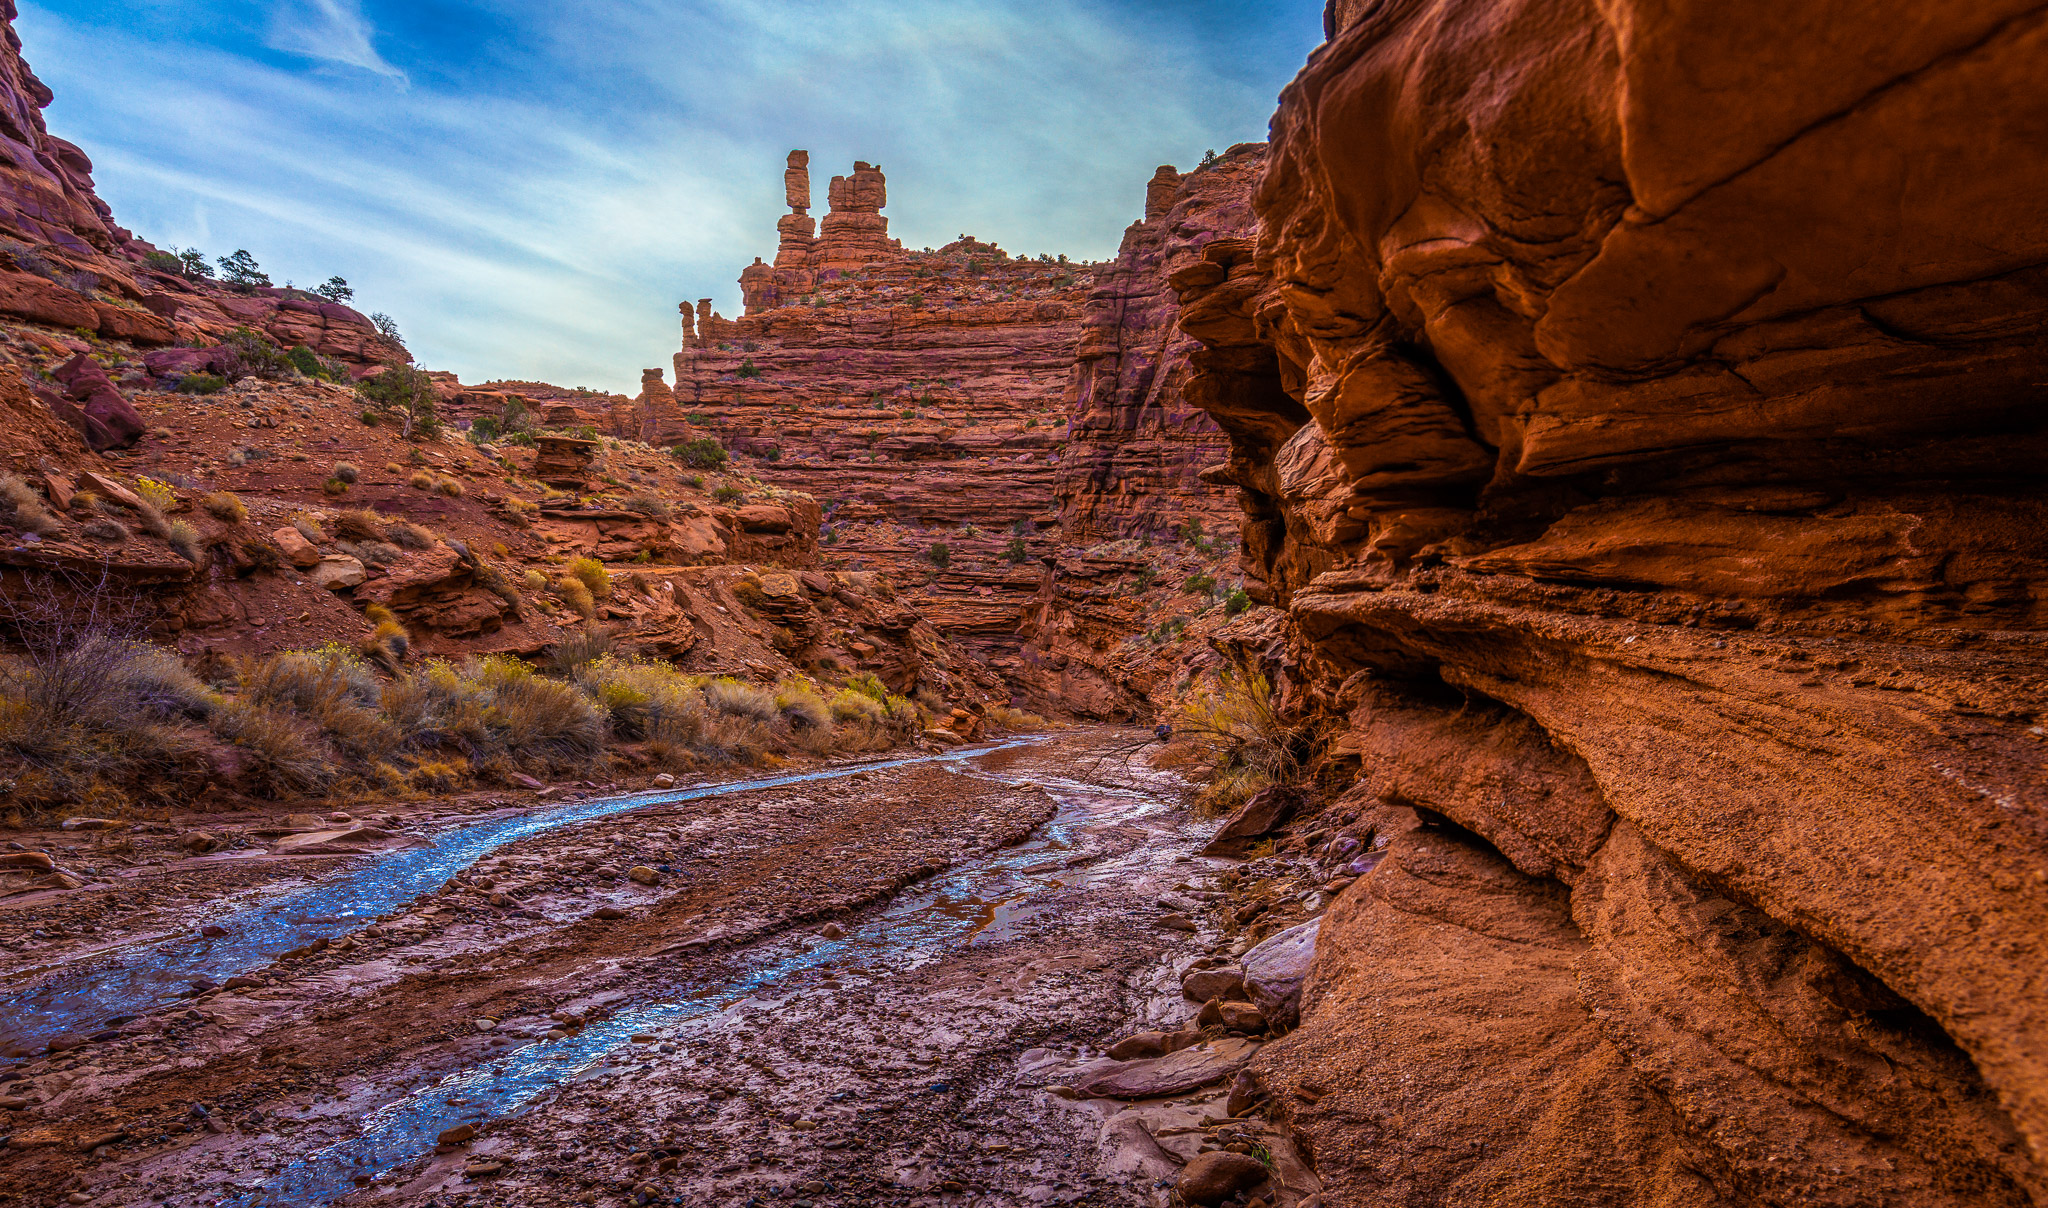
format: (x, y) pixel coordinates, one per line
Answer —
(529, 187)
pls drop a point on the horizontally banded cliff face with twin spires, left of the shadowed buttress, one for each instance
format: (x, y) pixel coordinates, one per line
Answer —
(919, 396)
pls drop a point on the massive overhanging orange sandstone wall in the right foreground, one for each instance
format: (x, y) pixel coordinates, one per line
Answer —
(1637, 415)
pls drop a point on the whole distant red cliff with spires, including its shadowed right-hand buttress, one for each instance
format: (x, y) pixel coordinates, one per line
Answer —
(1011, 411)
